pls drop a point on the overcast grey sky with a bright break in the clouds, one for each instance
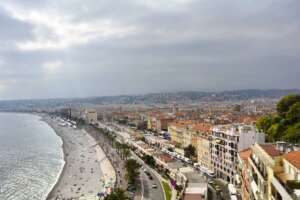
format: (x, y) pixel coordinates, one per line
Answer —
(76, 48)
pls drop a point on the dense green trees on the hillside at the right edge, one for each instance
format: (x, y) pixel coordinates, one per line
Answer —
(285, 124)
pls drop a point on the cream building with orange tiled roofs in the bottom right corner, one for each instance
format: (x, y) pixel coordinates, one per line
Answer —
(274, 174)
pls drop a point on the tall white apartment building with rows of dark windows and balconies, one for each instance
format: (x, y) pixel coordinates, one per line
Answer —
(227, 141)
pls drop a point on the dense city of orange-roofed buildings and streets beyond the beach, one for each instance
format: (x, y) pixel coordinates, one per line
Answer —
(199, 150)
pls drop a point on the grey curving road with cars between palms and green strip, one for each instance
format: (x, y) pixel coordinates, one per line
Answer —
(148, 192)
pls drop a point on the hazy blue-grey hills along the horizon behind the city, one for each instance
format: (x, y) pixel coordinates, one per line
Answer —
(154, 98)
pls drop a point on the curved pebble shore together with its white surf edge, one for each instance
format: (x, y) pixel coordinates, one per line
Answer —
(102, 167)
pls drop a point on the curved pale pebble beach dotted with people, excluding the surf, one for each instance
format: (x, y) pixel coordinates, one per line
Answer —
(87, 170)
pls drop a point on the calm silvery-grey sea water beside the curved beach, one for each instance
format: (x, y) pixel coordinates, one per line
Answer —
(30, 157)
